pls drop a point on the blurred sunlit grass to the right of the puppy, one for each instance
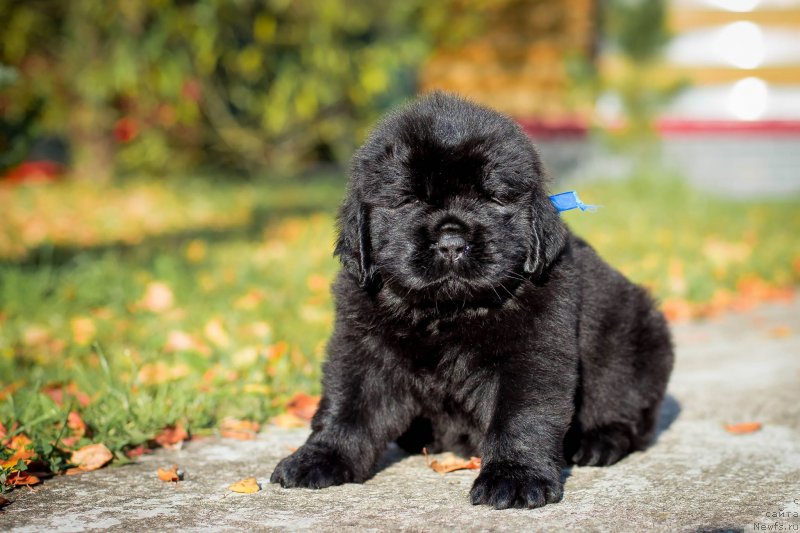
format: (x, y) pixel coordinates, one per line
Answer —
(691, 246)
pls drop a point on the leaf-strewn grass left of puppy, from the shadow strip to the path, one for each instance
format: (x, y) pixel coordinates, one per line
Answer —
(187, 330)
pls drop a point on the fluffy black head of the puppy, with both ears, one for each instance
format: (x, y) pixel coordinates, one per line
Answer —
(447, 201)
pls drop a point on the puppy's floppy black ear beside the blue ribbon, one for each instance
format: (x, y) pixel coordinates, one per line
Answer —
(548, 237)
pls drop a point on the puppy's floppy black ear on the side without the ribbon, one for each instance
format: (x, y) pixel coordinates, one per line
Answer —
(353, 243)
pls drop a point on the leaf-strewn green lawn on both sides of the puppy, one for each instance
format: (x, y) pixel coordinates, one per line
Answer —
(248, 267)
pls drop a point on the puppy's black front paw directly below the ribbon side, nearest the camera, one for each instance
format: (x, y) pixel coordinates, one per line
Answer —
(505, 485)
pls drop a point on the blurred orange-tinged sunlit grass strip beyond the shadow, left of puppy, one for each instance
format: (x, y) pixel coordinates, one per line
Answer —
(81, 214)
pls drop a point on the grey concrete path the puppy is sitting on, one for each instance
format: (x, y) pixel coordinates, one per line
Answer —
(696, 477)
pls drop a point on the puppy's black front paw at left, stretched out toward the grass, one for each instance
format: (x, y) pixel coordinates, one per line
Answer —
(311, 467)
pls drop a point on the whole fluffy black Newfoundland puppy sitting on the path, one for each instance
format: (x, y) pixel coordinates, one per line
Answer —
(469, 318)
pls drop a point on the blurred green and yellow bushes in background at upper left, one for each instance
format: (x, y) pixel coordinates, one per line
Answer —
(160, 85)
